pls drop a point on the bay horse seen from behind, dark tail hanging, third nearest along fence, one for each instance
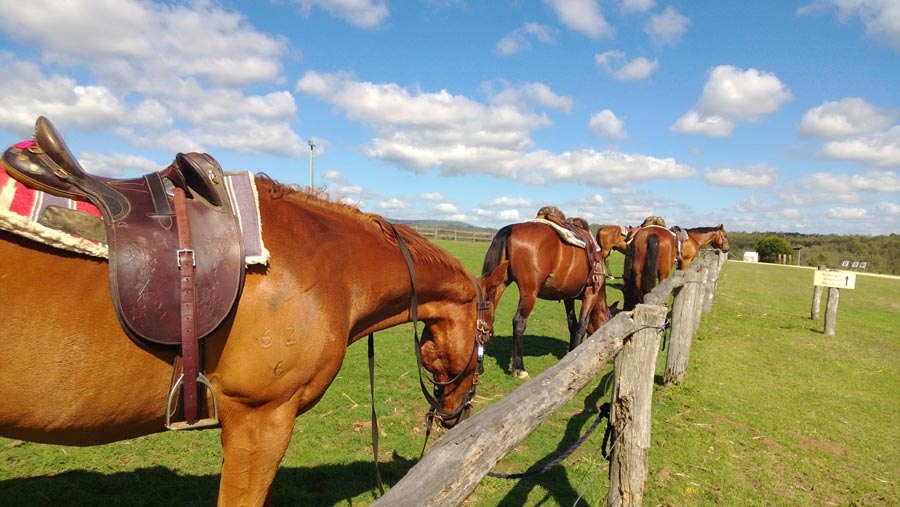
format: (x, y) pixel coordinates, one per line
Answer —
(649, 259)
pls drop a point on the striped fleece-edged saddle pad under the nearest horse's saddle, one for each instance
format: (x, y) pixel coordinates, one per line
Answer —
(22, 207)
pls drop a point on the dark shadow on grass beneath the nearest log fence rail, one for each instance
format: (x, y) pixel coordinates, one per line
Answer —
(554, 480)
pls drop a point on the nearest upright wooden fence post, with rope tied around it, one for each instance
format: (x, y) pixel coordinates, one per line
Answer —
(632, 395)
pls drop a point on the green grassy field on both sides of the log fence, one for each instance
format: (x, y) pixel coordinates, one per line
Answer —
(772, 413)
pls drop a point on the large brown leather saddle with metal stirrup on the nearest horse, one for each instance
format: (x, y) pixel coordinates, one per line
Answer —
(176, 258)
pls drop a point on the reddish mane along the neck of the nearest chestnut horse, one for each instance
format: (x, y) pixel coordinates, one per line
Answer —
(420, 249)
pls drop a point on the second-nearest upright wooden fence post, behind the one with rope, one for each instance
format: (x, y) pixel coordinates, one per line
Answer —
(686, 299)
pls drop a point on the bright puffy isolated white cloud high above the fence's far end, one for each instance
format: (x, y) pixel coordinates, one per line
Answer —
(730, 95)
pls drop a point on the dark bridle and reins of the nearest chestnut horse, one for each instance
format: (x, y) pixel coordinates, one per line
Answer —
(482, 334)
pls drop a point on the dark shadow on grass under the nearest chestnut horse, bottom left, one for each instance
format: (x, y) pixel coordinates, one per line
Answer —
(327, 485)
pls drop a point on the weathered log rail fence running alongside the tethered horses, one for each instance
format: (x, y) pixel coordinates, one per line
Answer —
(460, 459)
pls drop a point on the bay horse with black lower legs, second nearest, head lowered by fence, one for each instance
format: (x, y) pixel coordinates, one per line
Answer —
(543, 266)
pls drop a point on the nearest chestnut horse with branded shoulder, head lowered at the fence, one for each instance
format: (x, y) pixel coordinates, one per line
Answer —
(70, 375)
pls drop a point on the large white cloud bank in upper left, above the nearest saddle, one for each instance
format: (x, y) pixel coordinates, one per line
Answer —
(180, 57)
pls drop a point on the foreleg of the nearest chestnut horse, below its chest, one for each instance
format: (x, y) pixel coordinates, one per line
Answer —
(254, 440)
